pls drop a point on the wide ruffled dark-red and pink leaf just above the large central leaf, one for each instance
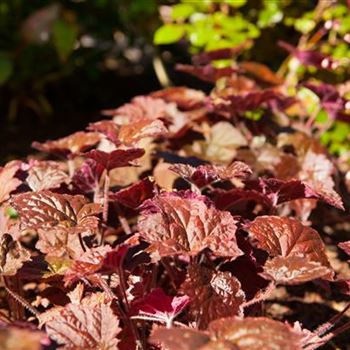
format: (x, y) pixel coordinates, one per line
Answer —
(206, 174)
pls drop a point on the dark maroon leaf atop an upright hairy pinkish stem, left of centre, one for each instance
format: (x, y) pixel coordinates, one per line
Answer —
(117, 158)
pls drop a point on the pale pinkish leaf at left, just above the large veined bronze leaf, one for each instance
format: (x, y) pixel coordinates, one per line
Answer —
(46, 176)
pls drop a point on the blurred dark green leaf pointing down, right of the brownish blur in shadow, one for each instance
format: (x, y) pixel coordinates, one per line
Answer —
(64, 38)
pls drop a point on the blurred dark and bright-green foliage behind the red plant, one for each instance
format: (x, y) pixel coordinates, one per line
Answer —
(61, 62)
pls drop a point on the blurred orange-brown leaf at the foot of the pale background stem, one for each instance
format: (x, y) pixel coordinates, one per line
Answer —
(184, 97)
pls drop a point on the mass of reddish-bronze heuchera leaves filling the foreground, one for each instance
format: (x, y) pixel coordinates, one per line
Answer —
(175, 223)
